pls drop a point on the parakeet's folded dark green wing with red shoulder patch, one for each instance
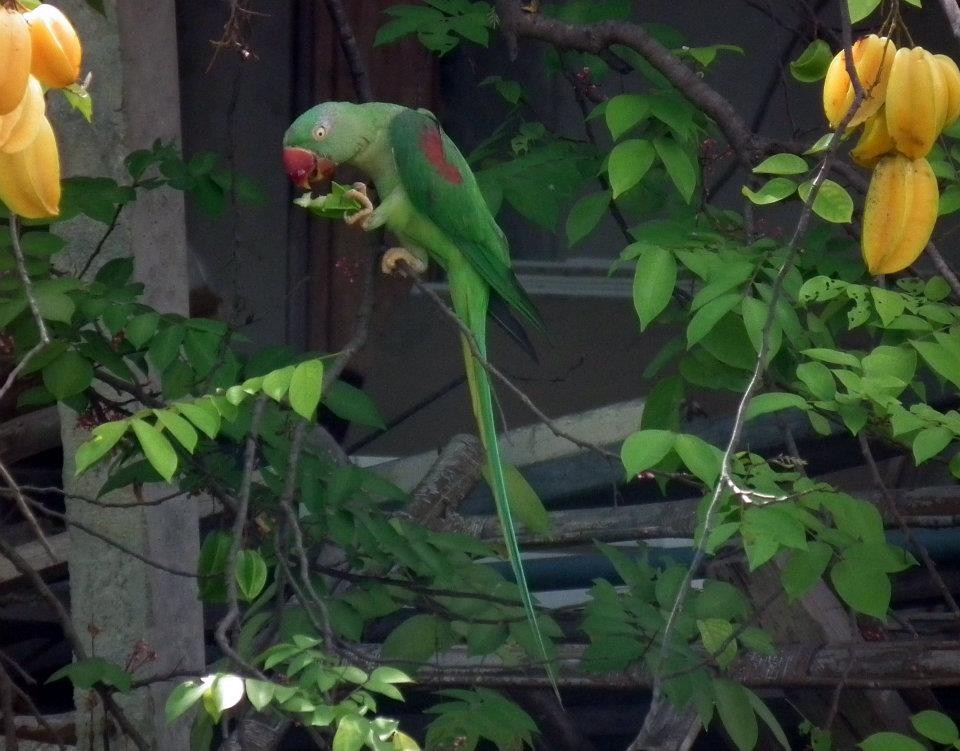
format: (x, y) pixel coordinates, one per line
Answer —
(440, 185)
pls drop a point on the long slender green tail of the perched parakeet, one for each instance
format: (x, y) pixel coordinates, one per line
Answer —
(481, 394)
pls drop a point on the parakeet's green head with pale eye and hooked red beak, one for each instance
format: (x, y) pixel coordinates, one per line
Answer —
(322, 138)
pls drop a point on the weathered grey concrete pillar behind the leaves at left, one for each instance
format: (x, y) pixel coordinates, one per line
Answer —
(122, 607)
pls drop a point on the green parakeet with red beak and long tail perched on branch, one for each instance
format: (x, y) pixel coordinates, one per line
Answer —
(429, 200)
